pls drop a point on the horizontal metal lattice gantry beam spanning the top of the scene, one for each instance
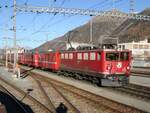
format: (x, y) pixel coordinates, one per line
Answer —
(55, 10)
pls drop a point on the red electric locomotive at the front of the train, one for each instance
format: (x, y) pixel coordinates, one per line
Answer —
(100, 66)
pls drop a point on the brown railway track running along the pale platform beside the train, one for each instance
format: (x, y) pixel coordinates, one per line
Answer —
(100, 103)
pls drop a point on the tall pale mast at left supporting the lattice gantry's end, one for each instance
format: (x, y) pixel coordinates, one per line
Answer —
(14, 29)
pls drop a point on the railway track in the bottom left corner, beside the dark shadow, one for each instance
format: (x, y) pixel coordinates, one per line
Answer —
(35, 105)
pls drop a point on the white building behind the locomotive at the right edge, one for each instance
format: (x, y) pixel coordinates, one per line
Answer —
(140, 52)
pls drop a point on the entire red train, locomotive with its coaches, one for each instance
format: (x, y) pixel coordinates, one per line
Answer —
(105, 67)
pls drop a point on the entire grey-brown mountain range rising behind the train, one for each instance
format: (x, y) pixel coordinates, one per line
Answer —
(126, 30)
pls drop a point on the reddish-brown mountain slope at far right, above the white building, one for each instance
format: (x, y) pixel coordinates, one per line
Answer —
(134, 30)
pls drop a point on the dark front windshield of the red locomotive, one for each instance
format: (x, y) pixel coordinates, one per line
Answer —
(117, 56)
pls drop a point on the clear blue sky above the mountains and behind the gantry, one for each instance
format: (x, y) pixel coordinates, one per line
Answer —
(34, 29)
